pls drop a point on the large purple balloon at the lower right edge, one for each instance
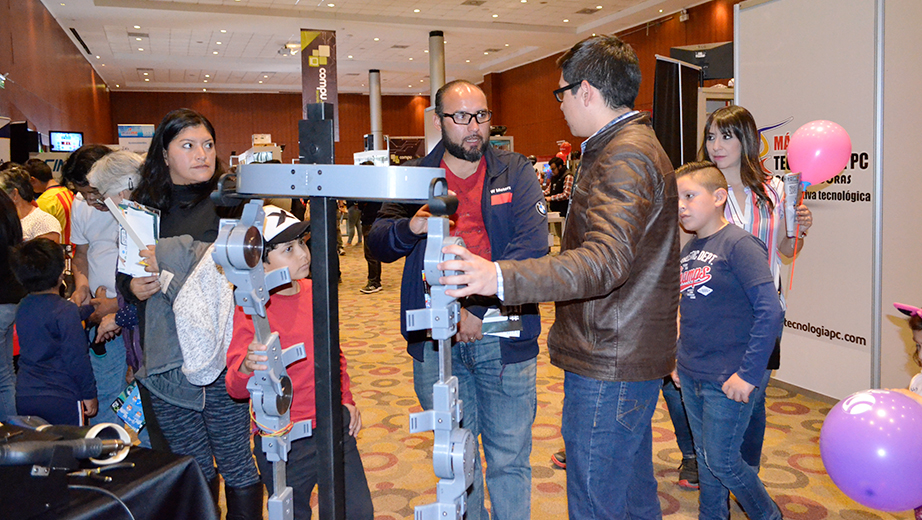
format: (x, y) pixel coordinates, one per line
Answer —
(871, 445)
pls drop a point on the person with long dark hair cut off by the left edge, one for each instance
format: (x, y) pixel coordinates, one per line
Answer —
(10, 295)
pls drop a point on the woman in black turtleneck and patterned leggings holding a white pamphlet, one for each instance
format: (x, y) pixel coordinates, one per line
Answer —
(177, 177)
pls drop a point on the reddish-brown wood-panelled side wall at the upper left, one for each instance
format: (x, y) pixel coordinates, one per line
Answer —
(51, 85)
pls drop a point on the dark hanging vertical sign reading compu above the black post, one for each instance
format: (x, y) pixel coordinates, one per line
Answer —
(318, 72)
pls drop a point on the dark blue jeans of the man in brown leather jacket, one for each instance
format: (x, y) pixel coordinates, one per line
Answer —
(608, 435)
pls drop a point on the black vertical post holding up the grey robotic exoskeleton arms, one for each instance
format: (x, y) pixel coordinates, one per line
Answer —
(316, 135)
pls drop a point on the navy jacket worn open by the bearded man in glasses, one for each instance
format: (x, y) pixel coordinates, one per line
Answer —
(517, 229)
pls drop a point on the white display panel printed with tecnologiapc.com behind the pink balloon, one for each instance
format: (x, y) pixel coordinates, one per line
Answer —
(826, 346)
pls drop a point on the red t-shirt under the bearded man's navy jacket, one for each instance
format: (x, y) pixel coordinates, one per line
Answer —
(469, 217)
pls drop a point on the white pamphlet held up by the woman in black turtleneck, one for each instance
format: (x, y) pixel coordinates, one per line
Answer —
(138, 226)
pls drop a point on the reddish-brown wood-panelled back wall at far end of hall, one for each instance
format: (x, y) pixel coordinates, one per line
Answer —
(236, 117)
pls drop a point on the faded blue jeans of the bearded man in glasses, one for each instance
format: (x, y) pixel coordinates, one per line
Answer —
(499, 403)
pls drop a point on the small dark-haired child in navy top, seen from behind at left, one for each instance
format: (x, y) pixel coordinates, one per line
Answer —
(55, 380)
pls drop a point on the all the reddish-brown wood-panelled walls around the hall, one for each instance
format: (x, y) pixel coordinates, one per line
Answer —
(521, 98)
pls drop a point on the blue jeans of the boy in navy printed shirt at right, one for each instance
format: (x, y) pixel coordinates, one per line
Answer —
(718, 424)
